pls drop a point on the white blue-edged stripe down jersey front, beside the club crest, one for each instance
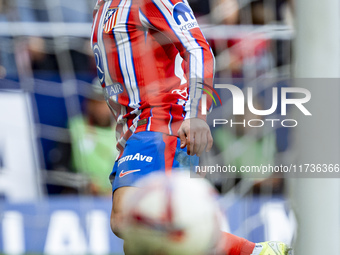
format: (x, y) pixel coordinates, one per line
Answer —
(125, 54)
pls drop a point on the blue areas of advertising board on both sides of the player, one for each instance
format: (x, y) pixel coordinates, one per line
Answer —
(37, 217)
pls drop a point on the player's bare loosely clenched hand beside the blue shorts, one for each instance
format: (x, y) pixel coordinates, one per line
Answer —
(195, 134)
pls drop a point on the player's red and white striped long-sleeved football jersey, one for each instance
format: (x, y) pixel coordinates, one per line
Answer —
(152, 59)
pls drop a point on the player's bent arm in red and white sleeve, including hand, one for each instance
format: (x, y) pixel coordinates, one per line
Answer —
(175, 19)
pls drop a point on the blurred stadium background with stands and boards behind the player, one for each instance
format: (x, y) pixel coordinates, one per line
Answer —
(55, 127)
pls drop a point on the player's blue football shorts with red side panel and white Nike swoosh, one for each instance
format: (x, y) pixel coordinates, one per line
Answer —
(147, 152)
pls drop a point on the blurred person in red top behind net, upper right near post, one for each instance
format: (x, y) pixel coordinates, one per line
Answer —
(248, 54)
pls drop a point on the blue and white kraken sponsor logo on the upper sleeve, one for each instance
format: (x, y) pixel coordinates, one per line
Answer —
(184, 17)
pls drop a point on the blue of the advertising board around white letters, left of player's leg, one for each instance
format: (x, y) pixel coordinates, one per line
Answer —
(37, 219)
